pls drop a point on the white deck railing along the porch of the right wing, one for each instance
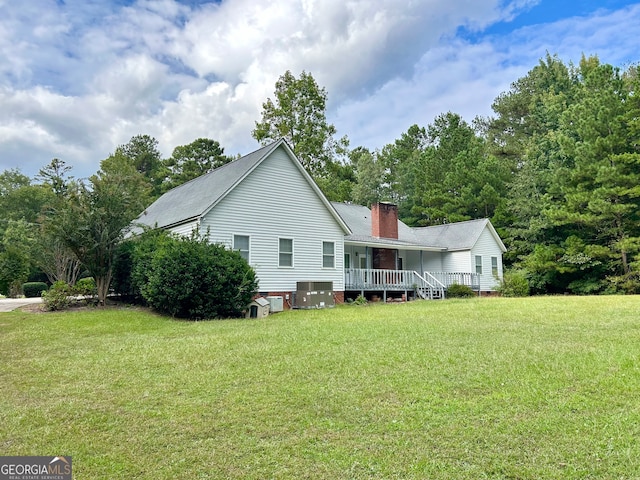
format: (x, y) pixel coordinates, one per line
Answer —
(379, 279)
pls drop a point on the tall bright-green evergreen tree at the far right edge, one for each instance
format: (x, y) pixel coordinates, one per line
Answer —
(599, 187)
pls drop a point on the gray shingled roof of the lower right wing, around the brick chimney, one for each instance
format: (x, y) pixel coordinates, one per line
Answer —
(452, 236)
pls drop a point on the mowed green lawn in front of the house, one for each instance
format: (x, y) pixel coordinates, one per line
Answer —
(483, 388)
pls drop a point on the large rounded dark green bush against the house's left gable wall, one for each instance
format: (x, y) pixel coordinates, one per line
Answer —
(191, 278)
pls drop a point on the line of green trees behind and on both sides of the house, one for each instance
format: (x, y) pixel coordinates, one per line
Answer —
(555, 168)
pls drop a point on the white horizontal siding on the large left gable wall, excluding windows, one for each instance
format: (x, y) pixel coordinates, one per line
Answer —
(275, 201)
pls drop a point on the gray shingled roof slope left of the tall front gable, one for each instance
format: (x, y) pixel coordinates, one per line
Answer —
(191, 200)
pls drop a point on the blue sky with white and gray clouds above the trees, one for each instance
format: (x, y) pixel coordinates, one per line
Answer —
(80, 77)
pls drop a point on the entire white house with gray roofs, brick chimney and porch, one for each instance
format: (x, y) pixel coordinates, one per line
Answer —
(266, 206)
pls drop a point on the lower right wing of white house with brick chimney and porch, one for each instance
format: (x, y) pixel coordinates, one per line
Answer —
(433, 258)
